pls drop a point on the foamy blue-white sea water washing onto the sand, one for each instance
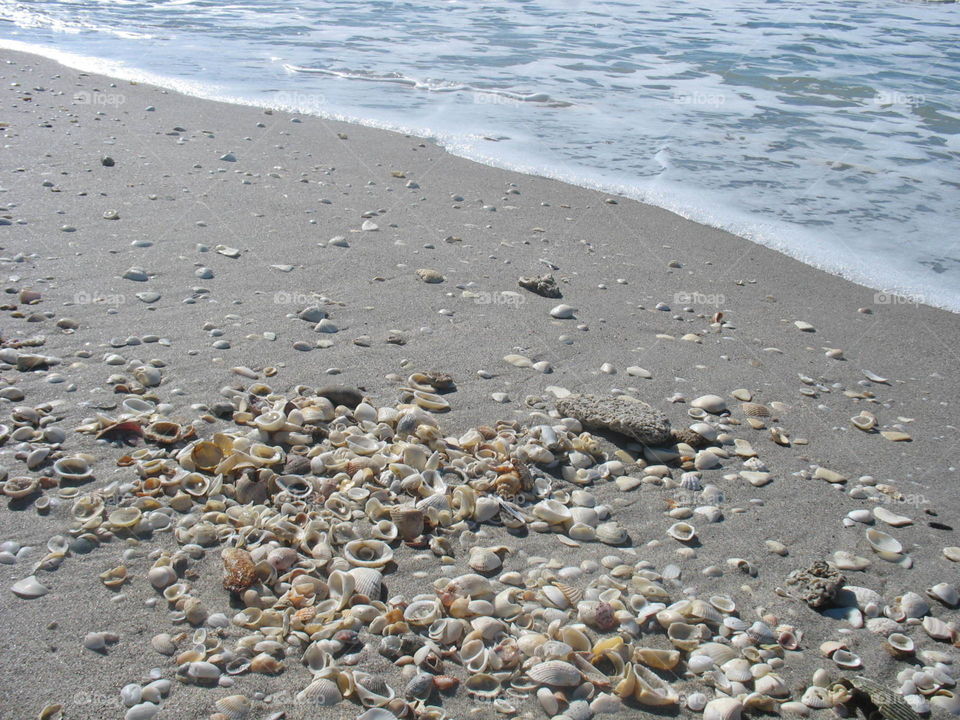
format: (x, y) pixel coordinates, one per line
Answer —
(827, 129)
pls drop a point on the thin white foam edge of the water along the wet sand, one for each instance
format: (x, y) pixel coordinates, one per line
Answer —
(756, 230)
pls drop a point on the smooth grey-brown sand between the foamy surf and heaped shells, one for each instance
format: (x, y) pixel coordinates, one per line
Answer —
(154, 243)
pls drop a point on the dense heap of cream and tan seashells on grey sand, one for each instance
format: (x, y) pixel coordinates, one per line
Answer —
(313, 505)
